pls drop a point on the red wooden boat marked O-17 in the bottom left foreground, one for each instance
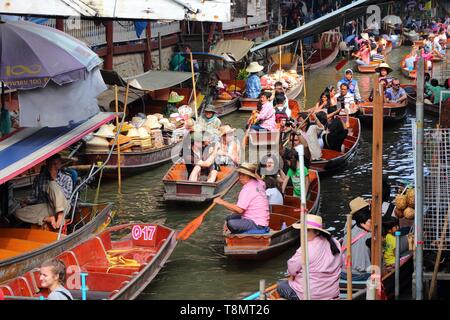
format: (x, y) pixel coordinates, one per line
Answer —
(146, 248)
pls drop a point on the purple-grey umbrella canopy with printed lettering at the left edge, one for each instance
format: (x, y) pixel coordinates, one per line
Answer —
(32, 55)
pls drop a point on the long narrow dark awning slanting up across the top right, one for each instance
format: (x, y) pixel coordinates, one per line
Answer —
(327, 22)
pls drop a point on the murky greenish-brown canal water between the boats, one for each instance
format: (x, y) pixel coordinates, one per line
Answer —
(198, 268)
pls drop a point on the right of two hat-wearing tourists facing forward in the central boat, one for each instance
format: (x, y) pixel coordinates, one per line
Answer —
(229, 151)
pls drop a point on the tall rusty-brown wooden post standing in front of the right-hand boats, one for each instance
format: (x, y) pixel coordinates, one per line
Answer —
(377, 175)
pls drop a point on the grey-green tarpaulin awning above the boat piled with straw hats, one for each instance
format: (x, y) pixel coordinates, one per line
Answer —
(148, 81)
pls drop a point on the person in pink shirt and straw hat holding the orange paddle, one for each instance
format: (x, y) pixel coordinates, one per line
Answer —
(251, 212)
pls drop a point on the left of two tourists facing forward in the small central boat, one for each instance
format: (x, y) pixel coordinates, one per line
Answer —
(204, 159)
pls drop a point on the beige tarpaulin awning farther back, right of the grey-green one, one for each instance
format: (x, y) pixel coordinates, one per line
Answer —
(227, 50)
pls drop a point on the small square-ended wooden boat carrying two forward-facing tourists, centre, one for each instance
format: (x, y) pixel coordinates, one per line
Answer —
(178, 188)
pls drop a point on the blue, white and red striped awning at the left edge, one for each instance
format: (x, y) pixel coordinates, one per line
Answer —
(27, 147)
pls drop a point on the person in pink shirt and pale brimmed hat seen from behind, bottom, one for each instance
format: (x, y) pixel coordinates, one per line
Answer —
(324, 262)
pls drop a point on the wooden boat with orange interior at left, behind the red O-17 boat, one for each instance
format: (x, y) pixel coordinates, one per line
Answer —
(23, 249)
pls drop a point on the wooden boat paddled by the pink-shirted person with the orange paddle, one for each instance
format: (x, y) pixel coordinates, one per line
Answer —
(261, 246)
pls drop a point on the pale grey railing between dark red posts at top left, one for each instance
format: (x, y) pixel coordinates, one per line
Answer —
(93, 34)
